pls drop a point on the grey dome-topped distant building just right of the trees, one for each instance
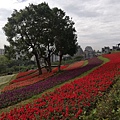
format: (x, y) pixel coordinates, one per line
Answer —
(89, 52)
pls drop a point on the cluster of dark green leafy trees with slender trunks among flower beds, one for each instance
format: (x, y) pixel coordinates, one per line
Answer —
(40, 31)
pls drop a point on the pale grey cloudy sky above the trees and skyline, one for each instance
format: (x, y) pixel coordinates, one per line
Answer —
(97, 22)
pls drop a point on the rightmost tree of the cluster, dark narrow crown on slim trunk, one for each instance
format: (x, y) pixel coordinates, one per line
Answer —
(65, 37)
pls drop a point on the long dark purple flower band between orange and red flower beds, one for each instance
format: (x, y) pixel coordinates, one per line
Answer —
(14, 96)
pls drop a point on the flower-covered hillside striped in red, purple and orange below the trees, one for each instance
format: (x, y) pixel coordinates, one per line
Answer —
(75, 93)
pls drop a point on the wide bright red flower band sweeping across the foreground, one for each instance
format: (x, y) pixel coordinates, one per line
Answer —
(69, 100)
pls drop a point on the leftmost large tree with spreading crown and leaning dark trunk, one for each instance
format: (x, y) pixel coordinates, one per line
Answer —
(25, 30)
